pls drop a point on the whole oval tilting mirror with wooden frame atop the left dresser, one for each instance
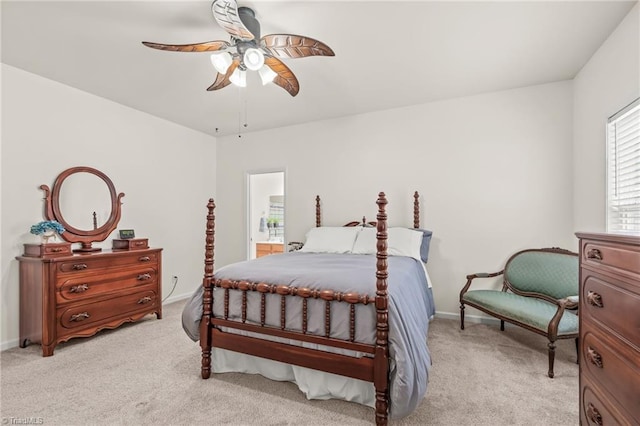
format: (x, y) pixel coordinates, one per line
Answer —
(85, 202)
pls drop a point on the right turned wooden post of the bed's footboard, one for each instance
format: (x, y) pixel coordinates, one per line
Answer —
(381, 360)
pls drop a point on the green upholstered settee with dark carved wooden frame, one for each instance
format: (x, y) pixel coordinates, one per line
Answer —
(539, 292)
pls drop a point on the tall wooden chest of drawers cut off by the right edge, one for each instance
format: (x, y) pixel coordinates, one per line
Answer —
(609, 329)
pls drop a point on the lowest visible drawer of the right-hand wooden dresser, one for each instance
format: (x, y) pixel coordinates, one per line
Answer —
(596, 409)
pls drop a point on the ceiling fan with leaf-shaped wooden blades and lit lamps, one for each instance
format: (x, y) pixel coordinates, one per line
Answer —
(248, 51)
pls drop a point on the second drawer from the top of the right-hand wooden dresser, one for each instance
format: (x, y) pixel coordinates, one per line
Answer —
(611, 305)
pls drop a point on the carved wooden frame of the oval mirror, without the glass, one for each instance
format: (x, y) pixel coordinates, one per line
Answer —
(73, 235)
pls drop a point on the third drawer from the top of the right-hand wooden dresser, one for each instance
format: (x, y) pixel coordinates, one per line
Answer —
(613, 366)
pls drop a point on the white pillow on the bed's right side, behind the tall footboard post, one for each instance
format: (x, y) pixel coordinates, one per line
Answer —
(400, 242)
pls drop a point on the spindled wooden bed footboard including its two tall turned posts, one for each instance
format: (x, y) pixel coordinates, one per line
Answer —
(374, 367)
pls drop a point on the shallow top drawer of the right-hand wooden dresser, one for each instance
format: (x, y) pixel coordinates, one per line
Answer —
(612, 257)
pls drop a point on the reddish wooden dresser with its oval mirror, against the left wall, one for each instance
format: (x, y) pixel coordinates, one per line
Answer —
(67, 293)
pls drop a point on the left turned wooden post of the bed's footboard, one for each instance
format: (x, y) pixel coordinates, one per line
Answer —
(207, 302)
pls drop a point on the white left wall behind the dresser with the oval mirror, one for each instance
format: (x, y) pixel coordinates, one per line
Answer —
(166, 172)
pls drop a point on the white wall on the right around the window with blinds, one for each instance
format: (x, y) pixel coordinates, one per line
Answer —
(607, 83)
